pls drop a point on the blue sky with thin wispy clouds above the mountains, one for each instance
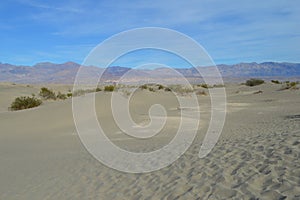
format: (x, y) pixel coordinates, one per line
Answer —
(33, 31)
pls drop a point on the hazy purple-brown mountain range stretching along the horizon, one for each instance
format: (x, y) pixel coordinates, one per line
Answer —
(47, 72)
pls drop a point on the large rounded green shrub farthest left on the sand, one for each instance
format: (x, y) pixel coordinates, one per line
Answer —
(25, 102)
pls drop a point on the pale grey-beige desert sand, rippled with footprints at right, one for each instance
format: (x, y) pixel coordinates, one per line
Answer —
(256, 157)
